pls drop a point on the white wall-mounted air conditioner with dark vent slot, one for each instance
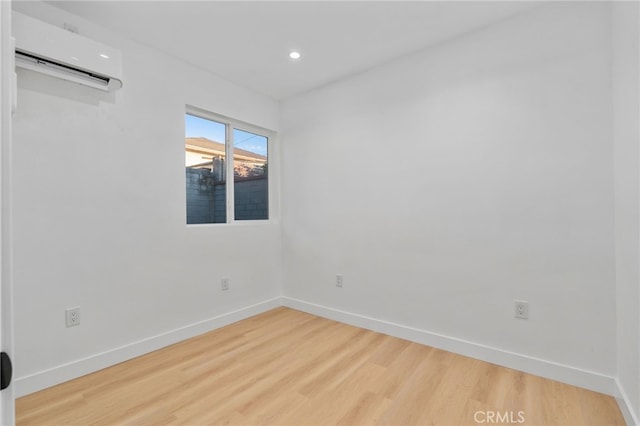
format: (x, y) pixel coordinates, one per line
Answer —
(60, 53)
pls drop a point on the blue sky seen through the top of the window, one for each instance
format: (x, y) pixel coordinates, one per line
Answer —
(199, 127)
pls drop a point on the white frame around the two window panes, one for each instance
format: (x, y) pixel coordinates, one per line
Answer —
(231, 124)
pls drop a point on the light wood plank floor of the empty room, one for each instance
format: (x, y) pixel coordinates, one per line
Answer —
(286, 367)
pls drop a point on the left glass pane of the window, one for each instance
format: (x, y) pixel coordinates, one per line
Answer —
(205, 170)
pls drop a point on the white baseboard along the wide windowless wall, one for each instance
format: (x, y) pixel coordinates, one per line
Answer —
(551, 370)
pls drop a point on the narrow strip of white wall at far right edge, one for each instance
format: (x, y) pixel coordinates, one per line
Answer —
(626, 110)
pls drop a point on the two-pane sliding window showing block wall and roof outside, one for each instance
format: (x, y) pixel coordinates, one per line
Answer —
(217, 188)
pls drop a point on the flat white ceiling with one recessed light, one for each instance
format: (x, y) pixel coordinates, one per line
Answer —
(248, 42)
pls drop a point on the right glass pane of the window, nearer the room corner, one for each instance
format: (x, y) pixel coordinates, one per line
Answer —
(250, 177)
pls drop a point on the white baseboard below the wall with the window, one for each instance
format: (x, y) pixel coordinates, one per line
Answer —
(62, 373)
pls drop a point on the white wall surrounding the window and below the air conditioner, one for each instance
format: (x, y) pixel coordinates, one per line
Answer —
(99, 213)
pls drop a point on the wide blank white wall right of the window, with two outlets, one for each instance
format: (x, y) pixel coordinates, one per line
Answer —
(446, 185)
